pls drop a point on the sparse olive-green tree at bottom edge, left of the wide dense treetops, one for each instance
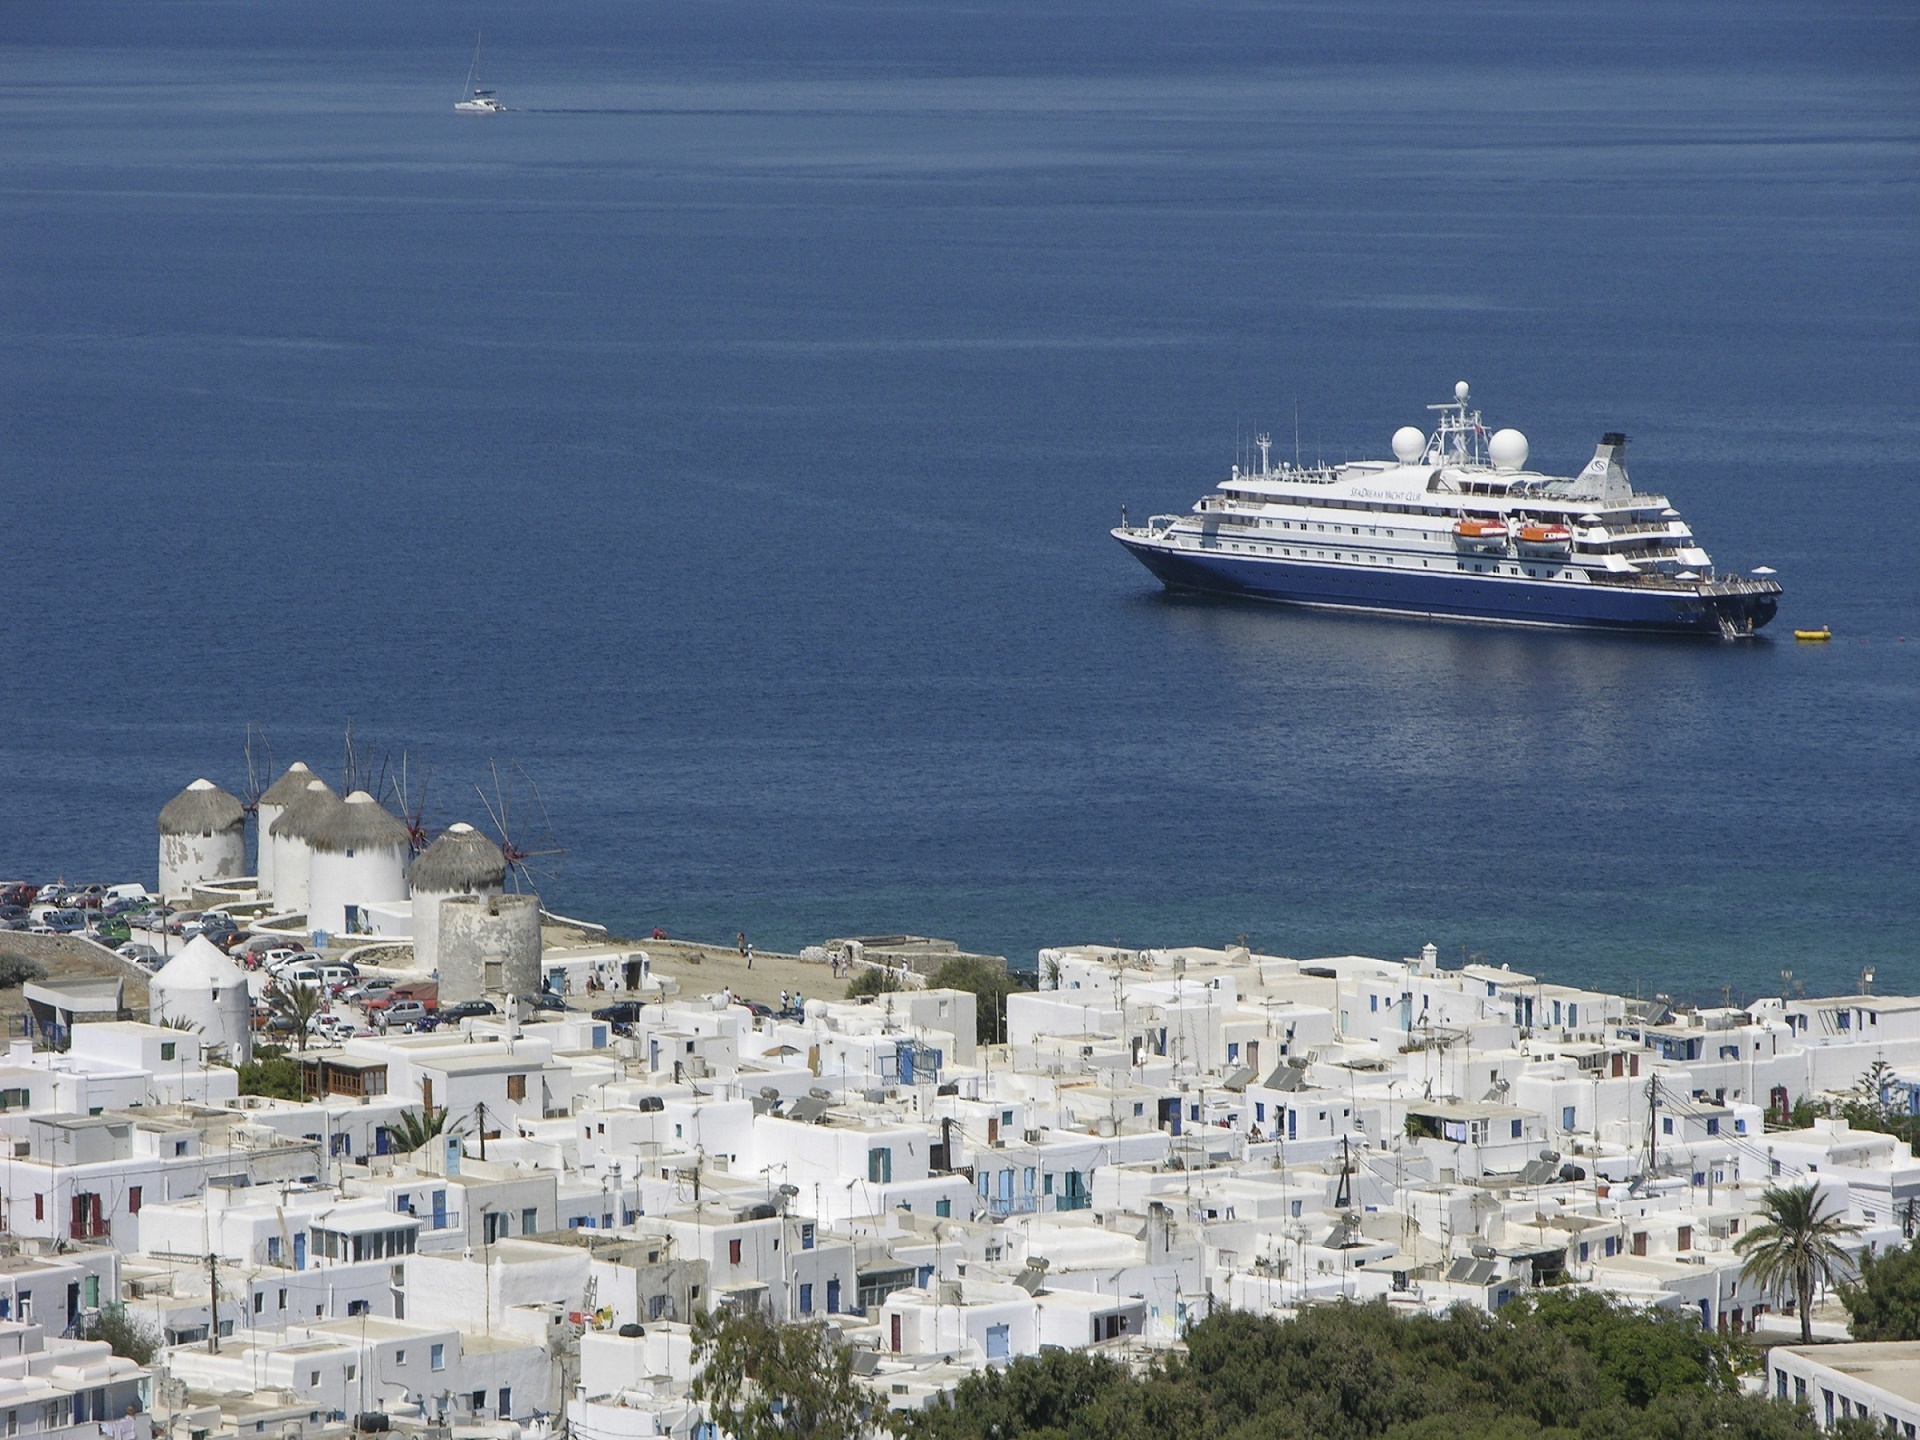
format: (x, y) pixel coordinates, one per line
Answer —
(767, 1381)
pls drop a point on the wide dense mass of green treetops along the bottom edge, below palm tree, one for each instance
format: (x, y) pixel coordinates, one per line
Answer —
(1548, 1368)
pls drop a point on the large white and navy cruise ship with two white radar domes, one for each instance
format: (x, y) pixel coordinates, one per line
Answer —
(1456, 529)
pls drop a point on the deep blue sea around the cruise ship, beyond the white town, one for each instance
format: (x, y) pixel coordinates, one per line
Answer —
(727, 441)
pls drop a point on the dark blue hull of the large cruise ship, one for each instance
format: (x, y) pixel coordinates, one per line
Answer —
(1458, 598)
